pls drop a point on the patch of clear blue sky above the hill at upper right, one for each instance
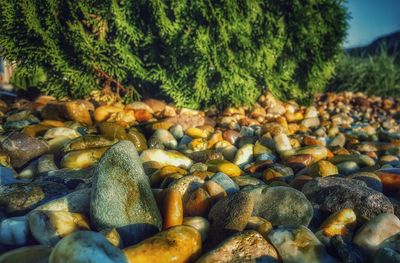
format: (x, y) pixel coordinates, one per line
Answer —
(371, 19)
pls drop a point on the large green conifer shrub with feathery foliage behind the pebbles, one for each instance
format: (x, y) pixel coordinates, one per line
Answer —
(196, 52)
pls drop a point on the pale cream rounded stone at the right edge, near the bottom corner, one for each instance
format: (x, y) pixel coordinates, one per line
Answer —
(375, 231)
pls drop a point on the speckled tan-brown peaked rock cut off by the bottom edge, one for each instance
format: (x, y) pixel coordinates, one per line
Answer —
(247, 246)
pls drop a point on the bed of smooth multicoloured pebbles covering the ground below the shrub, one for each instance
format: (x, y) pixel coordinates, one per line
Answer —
(235, 178)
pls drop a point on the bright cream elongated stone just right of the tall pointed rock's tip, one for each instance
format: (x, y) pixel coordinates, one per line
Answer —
(156, 158)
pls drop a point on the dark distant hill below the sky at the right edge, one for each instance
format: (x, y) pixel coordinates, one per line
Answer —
(390, 42)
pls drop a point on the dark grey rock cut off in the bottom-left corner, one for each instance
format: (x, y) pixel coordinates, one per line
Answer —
(35, 254)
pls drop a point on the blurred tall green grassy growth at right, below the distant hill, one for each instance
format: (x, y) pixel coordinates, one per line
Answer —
(374, 75)
